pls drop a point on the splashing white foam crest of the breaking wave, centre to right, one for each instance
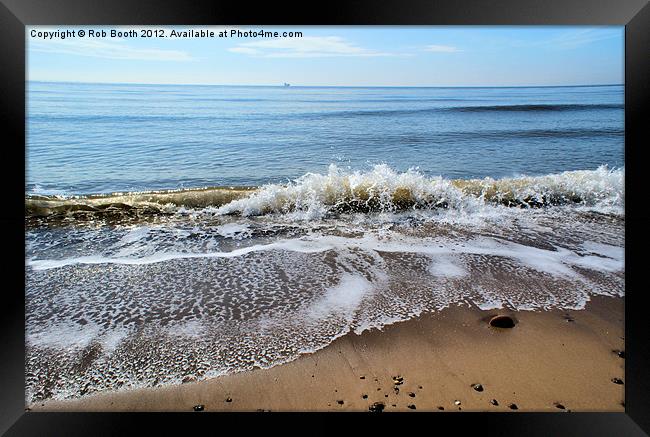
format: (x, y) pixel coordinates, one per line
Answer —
(314, 195)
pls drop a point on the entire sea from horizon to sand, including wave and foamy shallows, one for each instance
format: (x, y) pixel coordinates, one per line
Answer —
(183, 232)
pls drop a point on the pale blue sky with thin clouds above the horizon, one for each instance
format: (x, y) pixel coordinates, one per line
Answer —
(333, 56)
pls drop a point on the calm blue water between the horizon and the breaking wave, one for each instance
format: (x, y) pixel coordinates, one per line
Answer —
(92, 138)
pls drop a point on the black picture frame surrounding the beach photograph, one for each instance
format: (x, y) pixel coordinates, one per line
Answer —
(16, 14)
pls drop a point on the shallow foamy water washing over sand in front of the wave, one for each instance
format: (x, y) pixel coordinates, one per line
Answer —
(185, 297)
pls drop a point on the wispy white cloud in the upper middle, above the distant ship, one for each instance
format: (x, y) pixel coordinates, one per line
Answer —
(305, 47)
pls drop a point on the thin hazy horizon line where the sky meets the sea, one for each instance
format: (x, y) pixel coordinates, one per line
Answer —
(327, 86)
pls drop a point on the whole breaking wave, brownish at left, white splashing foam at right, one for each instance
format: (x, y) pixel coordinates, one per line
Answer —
(382, 189)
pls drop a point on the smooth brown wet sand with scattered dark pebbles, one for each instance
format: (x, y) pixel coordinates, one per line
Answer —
(549, 361)
